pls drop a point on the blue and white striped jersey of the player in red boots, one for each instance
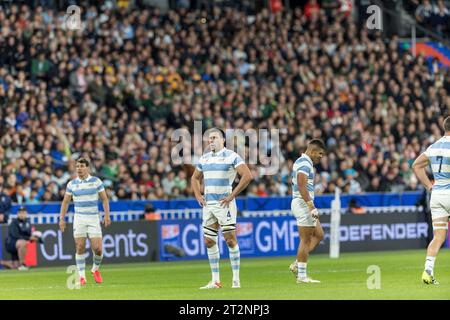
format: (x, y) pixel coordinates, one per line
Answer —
(85, 194)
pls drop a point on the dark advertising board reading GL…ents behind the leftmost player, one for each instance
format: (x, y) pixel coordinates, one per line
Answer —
(135, 241)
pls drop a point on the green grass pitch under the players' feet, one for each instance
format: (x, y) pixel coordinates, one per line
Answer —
(261, 278)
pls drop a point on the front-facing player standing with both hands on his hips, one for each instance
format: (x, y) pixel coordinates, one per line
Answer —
(218, 169)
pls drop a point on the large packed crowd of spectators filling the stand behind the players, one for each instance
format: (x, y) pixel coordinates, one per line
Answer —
(117, 89)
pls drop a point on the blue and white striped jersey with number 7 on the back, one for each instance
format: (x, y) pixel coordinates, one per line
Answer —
(439, 155)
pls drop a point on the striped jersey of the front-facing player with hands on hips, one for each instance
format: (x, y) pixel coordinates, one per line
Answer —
(219, 171)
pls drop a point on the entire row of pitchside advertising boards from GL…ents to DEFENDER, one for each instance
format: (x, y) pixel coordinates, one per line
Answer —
(171, 240)
